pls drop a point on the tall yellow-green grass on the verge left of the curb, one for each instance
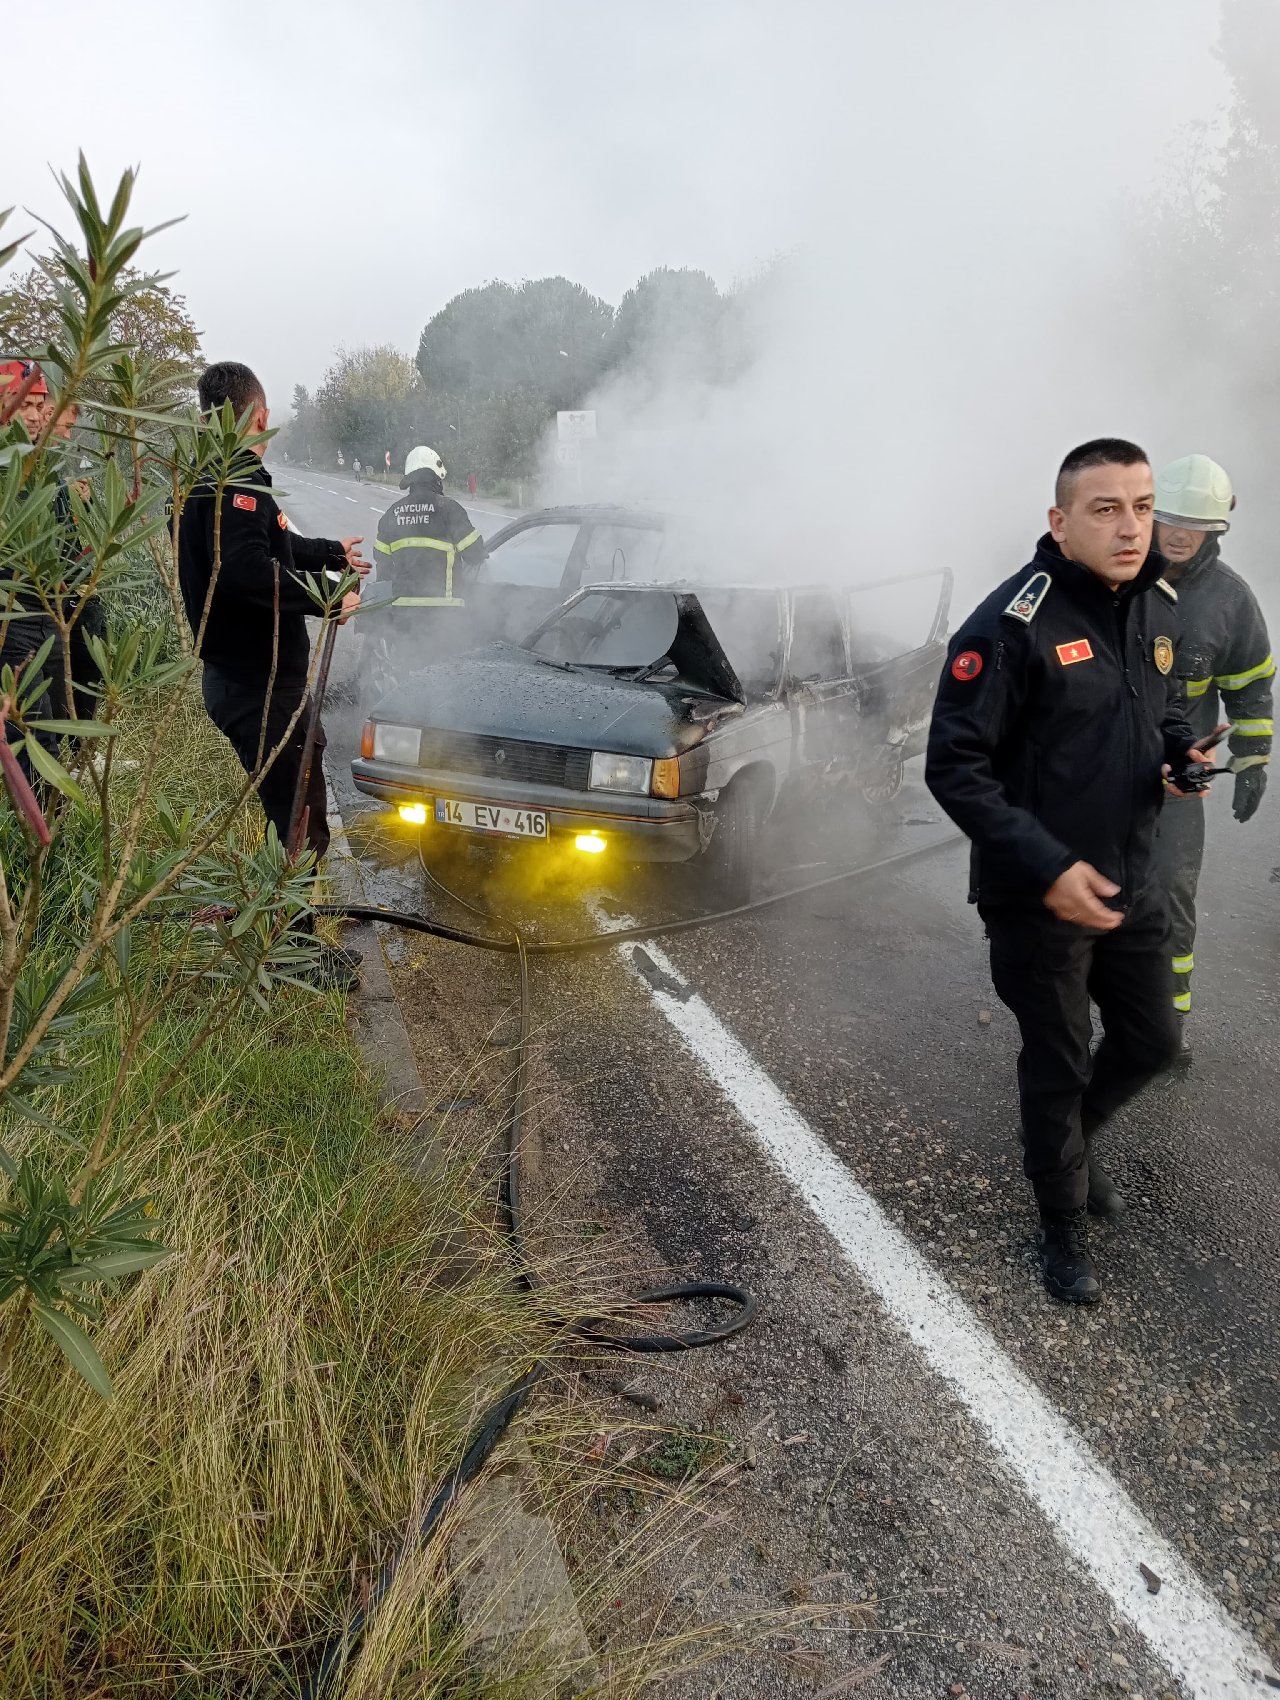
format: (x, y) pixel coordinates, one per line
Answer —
(288, 1385)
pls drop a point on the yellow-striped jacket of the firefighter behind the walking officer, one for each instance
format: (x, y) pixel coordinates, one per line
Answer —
(1223, 647)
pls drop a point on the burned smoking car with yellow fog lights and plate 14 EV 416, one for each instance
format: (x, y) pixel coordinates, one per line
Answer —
(659, 723)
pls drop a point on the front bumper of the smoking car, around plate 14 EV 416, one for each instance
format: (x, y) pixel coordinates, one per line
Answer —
(638, 829)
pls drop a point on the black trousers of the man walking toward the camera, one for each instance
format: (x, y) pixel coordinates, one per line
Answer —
(1048, 972)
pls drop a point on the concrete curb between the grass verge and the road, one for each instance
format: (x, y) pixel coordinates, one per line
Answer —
(514, 1592)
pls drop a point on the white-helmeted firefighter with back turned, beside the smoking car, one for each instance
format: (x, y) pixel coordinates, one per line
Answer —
(428, 552)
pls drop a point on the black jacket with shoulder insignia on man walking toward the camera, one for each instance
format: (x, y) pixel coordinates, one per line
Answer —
(1055, 713)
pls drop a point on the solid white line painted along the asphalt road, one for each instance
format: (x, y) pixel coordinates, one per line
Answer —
(1089, 1509)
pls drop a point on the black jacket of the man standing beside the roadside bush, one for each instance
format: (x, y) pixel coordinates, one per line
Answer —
(258, 553)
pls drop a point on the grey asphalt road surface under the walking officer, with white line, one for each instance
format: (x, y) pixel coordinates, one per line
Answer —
(941, 1492)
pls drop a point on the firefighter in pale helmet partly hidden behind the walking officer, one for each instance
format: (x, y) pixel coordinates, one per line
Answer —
(1223, 649)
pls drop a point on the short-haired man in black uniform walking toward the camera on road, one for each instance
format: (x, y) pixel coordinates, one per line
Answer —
(1056, 725)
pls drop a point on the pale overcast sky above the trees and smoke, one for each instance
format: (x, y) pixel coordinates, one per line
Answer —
(346, 169)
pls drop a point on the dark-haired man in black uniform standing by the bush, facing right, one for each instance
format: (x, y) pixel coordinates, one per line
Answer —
(256, 676)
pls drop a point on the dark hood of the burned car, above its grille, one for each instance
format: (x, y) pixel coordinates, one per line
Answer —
(507, 693)
